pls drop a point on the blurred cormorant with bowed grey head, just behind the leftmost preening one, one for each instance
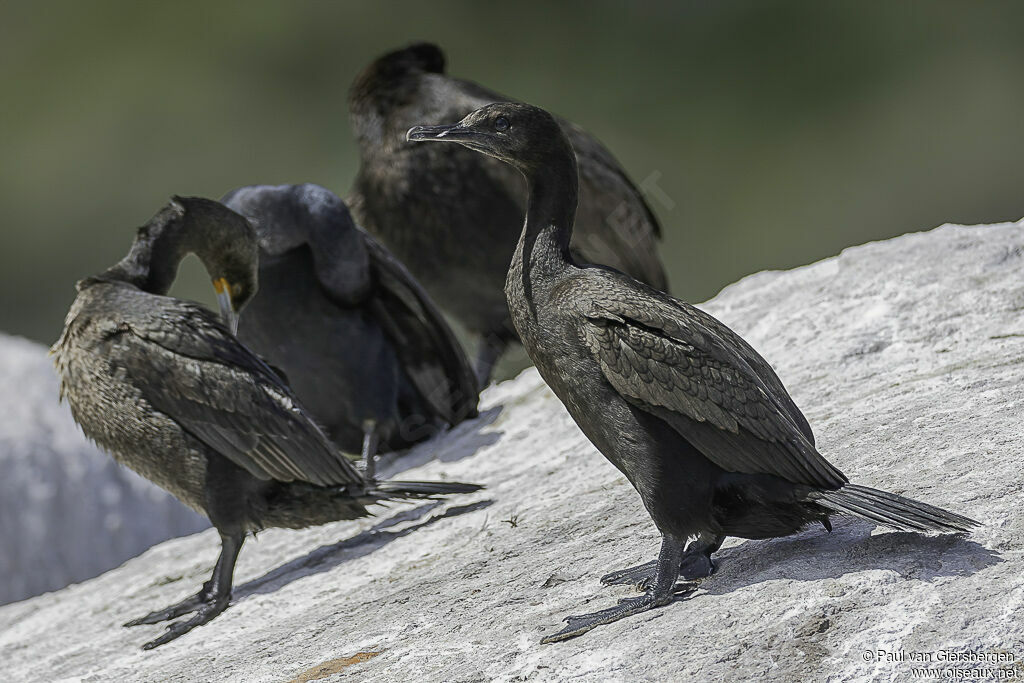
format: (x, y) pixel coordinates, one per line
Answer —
(362, 345)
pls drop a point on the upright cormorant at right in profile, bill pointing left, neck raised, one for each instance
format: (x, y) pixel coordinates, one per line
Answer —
(690, 413)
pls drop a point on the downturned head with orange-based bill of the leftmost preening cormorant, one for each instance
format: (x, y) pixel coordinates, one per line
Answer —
(226, 243)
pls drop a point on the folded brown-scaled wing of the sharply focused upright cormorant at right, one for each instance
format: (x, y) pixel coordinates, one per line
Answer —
(676, 363)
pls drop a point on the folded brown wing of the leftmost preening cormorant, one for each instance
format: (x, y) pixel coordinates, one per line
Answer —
(188, 366)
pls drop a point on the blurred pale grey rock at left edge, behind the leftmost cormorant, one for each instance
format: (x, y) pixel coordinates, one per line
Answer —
(68, 513)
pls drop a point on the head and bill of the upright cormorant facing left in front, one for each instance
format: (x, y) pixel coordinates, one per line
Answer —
(523, 136)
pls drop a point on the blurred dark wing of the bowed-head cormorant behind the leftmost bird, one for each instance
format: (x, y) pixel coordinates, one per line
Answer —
(429, 350)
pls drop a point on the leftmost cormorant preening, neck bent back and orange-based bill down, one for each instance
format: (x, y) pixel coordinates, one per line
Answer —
(163, 386)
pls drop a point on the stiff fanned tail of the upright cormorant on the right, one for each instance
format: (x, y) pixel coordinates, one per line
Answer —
(891, 510)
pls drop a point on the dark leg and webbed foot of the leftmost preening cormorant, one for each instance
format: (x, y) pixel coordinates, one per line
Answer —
(209, 603)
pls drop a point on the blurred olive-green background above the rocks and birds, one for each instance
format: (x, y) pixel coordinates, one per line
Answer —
(781, 132)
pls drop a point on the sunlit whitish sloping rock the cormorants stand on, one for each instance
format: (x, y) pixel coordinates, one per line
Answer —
(908, 358)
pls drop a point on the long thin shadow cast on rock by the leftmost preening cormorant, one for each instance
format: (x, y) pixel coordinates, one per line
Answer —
(326, 559)
